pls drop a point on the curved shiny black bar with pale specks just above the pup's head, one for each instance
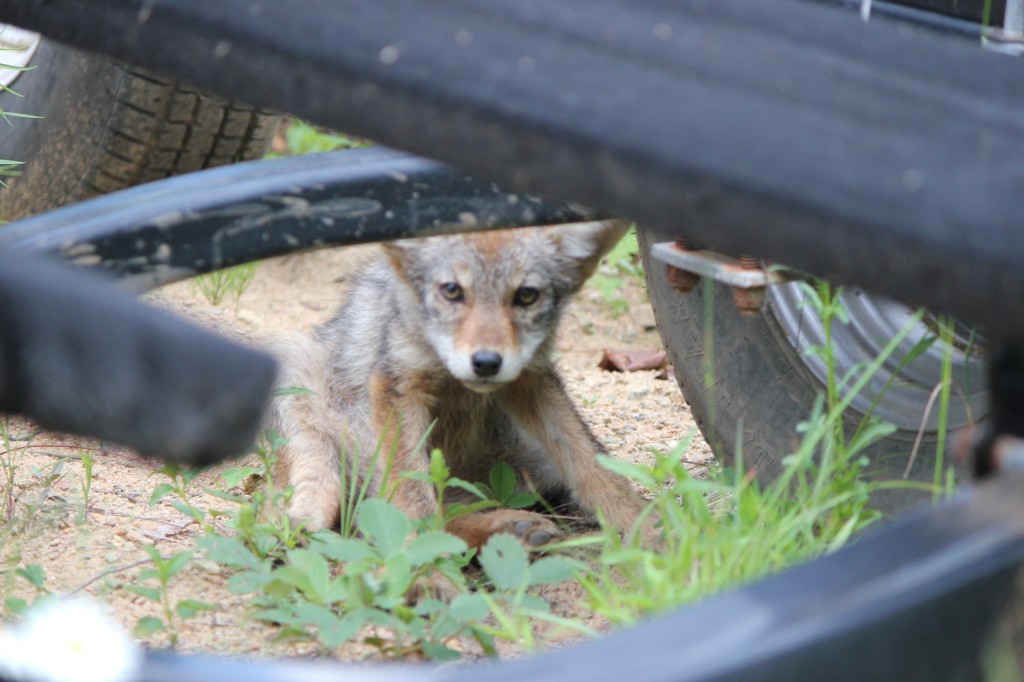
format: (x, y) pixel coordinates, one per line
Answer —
(183, 227)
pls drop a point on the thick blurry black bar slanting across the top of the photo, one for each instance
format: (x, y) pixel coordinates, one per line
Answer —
(869, 154)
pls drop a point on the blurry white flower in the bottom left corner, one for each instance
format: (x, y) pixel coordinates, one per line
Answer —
(69, 642)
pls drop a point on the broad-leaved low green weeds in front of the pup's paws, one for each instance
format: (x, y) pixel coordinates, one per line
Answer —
(380, 582)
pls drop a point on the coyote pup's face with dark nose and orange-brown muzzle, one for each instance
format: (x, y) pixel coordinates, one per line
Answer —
(492, 301)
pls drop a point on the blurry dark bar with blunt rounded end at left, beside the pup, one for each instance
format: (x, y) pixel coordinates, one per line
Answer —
(79, 357)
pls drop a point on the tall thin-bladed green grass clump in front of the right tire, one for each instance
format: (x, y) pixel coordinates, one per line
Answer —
(727, 531)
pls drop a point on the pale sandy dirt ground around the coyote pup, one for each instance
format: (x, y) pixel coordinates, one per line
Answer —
(95, 546)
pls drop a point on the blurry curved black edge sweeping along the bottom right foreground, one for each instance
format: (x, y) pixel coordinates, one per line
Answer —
(929, 599)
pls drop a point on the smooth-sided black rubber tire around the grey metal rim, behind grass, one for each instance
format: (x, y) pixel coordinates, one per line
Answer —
(758, 383)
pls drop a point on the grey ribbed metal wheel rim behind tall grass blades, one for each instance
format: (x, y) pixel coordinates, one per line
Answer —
(874, 322)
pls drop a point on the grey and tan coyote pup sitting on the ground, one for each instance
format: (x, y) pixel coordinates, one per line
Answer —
(456, 330)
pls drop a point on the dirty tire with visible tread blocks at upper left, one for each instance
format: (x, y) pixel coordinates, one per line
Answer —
(107, 127)
